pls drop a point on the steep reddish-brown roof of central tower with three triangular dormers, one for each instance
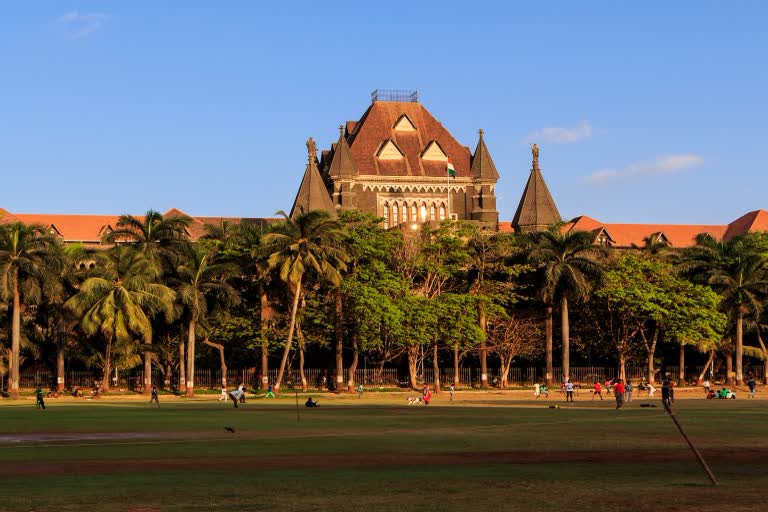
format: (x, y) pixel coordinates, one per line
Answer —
(378, 124)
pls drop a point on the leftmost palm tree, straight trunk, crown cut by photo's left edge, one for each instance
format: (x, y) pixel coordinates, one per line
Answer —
(30, 264)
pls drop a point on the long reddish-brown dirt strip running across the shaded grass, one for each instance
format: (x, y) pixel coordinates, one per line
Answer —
(238, 464)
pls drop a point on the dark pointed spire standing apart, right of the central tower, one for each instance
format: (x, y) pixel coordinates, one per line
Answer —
(537, 210)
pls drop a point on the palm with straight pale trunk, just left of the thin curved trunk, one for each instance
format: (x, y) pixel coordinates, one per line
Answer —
(202, 287)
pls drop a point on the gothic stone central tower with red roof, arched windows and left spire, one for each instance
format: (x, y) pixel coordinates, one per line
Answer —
(394, 162)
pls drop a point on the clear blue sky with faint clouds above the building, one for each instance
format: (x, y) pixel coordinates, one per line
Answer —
(644, 112)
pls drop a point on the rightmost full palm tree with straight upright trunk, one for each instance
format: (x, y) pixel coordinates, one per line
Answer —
(737, 270)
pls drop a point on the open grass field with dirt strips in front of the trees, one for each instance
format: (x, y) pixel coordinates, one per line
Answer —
(484, 451)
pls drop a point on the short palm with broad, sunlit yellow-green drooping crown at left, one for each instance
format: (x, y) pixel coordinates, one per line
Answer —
(120, 302)
